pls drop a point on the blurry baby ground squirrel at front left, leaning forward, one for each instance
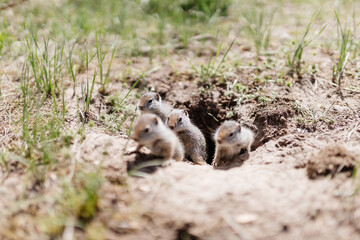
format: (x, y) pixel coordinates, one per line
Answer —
(151, 132)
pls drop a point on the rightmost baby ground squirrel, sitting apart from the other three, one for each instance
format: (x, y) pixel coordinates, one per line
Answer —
(230, 138)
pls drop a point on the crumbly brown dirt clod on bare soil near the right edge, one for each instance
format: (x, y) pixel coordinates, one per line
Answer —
(331, 160)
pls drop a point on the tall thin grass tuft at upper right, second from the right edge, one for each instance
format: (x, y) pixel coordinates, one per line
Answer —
(295, 61)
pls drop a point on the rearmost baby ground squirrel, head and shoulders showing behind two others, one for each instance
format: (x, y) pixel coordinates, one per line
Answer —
(150, 102)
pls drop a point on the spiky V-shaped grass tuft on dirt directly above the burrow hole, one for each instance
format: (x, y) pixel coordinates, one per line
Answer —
(209, 70)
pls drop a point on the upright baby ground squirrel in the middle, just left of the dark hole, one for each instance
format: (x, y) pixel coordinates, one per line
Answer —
(190, 136)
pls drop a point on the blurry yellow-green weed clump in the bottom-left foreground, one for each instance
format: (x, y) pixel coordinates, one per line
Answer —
(76, 205)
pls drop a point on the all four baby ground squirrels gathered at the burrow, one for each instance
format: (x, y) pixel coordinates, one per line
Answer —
(170, 134)
